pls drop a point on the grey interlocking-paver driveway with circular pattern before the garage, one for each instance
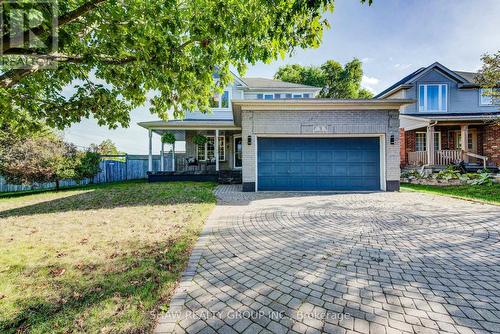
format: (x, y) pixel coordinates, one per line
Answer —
(340, 263)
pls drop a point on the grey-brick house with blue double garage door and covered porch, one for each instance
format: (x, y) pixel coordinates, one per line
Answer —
(277, 136)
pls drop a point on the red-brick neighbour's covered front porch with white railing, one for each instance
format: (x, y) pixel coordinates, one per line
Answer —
(440, 144)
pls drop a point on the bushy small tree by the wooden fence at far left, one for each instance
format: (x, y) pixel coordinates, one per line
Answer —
(42, 158)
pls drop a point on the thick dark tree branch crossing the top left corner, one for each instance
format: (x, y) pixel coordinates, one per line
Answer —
(8, 43)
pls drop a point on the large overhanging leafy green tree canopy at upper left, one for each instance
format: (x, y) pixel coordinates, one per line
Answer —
(113, 53)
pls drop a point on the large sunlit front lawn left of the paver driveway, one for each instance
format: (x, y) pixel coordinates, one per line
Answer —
(98, 259)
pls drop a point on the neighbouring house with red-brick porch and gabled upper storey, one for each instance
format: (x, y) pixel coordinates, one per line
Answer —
(452, 120)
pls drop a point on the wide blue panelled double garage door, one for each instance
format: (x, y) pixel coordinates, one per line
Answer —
(318, 164)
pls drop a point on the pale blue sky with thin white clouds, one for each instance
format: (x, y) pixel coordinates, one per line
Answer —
(392, 38)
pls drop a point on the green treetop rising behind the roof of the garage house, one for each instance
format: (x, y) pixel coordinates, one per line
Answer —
(336, 81)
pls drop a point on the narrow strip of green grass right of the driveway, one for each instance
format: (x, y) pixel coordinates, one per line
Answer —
(490, 194)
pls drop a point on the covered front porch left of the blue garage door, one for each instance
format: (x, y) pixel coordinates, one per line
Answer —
(217, 157)
